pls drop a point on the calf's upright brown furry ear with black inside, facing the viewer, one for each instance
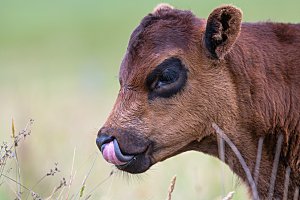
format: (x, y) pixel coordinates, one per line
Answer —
(222, 29)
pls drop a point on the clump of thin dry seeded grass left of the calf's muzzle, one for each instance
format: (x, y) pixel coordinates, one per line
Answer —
(10, 177)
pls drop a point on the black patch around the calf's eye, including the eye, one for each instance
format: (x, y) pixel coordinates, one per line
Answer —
(167, 79)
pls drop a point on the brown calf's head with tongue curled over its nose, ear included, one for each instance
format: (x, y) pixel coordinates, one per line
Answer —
(173, 84)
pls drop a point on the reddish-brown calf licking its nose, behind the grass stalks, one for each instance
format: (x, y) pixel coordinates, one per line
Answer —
(181, 74)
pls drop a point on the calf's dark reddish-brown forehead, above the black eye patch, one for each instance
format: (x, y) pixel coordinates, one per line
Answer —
(161, 38)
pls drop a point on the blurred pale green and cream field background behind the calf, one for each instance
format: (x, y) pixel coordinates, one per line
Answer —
(59, 63)
